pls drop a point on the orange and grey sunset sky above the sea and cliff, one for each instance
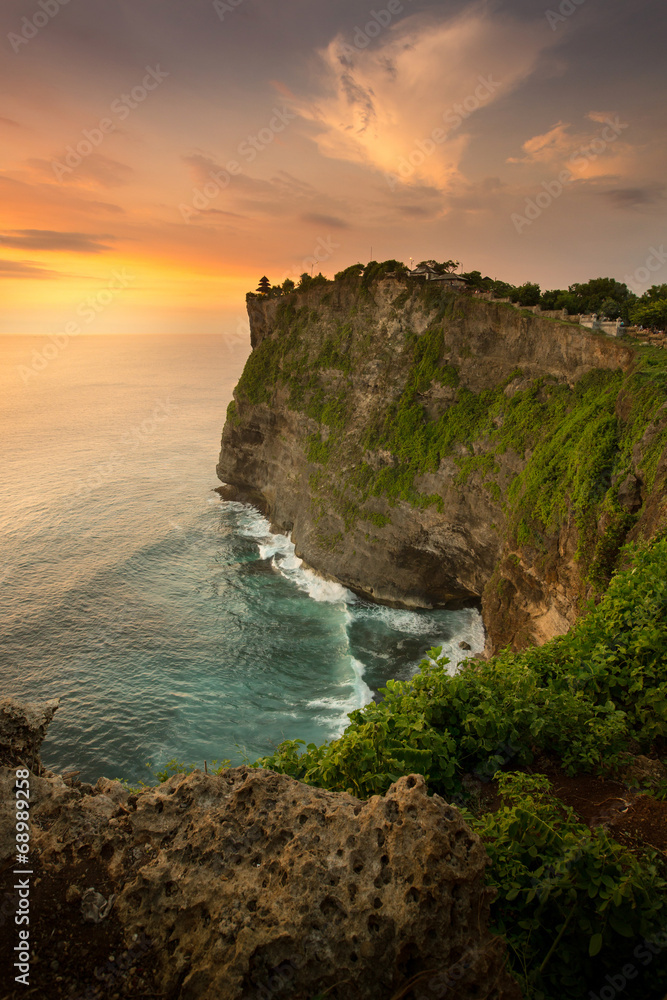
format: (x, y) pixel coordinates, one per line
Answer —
(158, 156)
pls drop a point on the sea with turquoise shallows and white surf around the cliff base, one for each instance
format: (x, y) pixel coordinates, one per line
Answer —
(170, 623)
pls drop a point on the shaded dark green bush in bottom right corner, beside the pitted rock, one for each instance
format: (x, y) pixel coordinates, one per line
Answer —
(572, 904)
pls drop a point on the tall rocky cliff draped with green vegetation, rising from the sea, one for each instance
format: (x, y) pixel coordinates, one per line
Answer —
(426, 447)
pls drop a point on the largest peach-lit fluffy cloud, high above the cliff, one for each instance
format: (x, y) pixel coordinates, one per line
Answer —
(380, 104)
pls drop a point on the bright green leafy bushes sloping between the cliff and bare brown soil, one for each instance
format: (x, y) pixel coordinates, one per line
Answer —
(585, 697)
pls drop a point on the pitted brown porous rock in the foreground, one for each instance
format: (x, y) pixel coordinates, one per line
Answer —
(254, 885)
